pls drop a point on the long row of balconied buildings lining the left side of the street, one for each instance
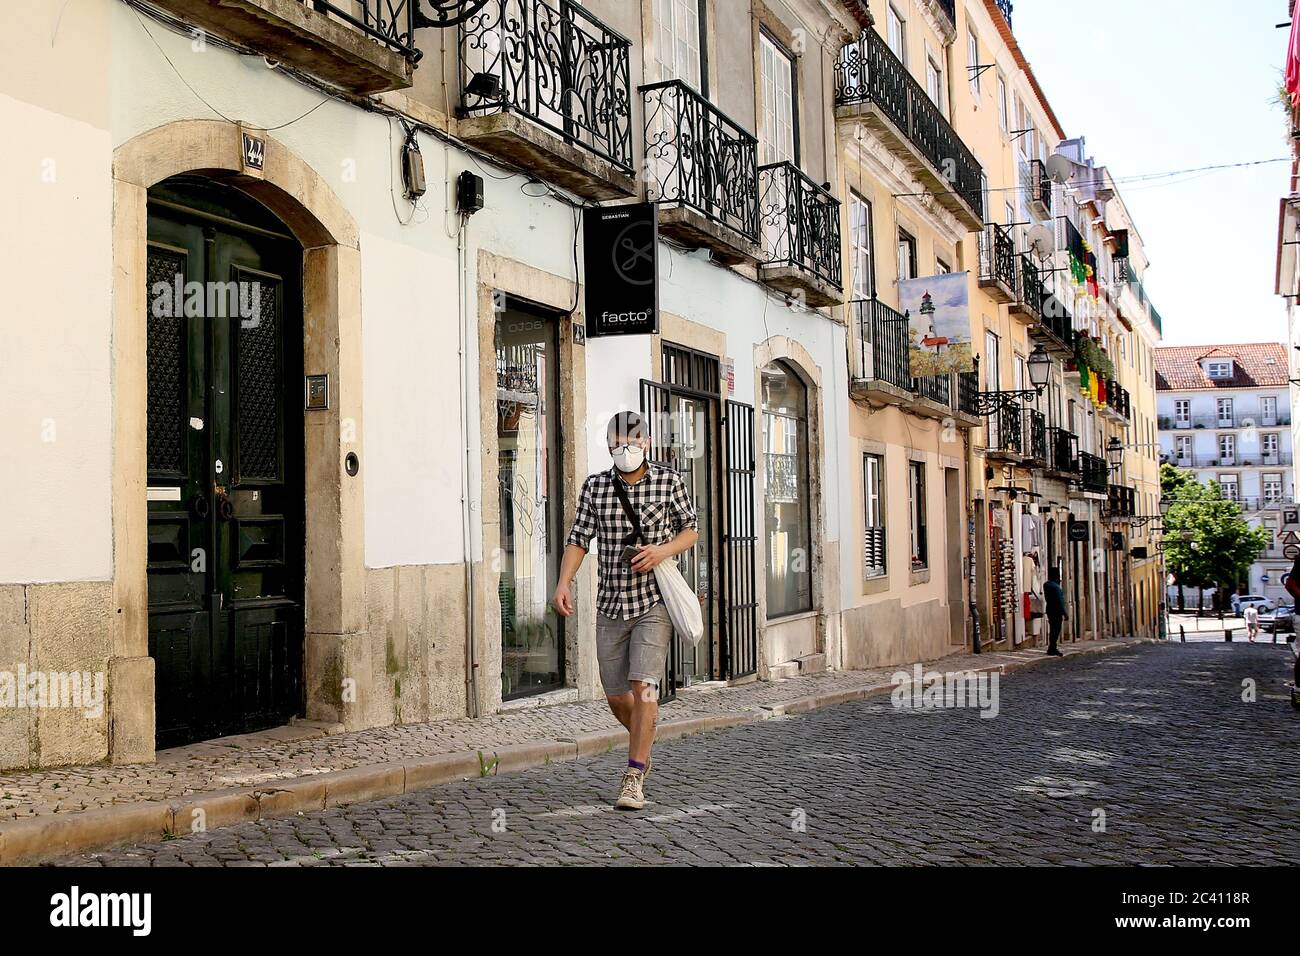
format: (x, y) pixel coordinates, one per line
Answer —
(305, 436)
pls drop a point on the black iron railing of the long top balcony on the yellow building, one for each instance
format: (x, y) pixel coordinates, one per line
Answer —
(869, 72)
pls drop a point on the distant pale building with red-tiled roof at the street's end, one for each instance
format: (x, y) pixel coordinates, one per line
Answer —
(1225, 416)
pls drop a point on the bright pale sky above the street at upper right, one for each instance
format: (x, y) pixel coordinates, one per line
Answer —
(1165, 85)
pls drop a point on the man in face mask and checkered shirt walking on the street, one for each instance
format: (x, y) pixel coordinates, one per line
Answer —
(640, 514)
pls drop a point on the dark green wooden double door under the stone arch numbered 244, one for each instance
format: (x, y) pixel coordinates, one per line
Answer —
(226, 464)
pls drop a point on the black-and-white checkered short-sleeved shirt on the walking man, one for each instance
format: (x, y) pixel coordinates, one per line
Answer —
(662, 504)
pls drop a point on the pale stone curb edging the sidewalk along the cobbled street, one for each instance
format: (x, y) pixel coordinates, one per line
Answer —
(38, 840)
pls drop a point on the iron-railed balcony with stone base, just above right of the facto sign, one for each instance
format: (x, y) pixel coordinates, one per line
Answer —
(704, 170)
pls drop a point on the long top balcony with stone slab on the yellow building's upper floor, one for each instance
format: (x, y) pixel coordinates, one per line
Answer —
(874, 88)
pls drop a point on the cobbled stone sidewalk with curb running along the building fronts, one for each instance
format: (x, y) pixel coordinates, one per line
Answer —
(305, 767)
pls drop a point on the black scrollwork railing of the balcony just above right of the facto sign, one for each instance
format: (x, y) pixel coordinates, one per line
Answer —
(697, 158)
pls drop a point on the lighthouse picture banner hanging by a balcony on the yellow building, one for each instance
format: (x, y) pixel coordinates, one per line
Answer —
(939, 330)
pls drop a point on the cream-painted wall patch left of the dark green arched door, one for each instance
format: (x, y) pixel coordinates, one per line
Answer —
(55, 354)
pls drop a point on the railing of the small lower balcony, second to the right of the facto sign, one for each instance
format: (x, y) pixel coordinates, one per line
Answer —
(800, 223)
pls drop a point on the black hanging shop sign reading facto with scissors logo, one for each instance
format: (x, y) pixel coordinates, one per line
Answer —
(622, 253)
